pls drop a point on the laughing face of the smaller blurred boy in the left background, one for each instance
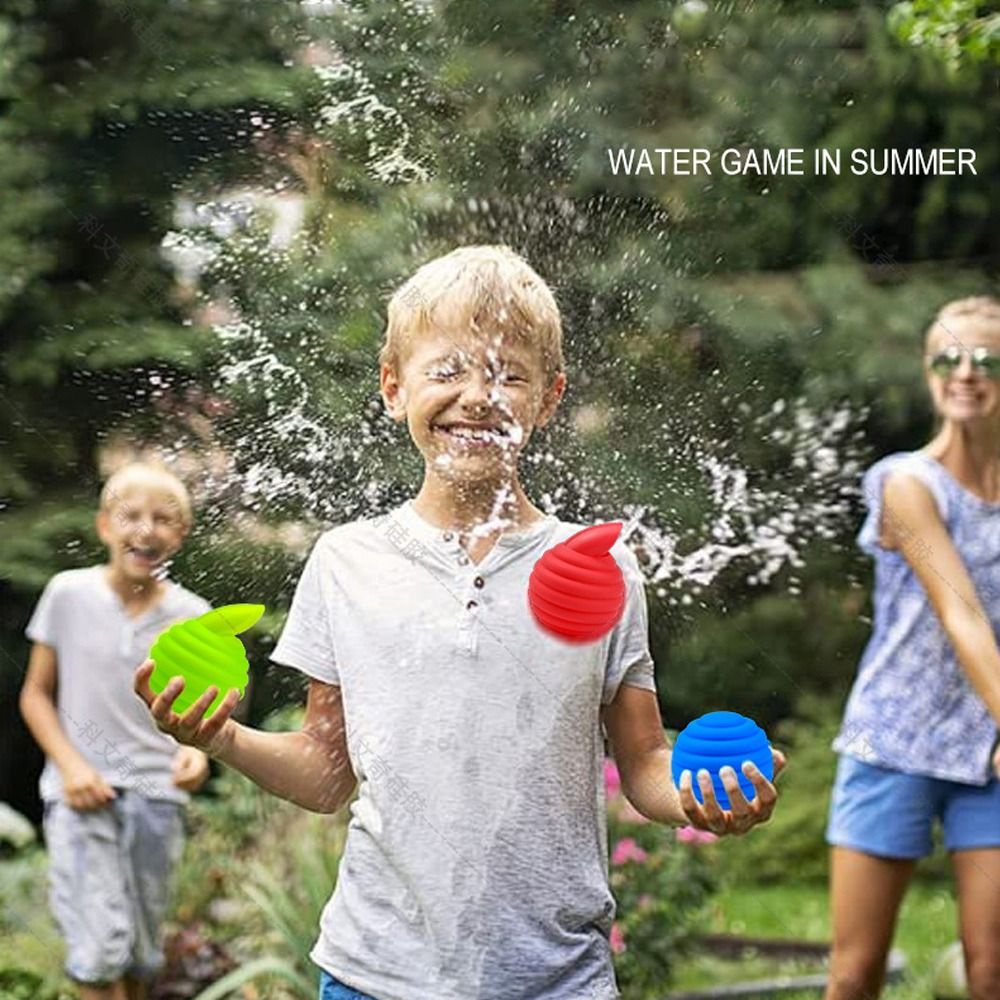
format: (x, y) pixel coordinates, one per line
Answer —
(142, 529)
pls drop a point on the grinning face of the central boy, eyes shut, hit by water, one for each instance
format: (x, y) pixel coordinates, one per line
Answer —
(472, 402)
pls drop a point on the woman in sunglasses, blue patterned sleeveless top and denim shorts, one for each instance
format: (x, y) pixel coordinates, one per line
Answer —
(919, 738)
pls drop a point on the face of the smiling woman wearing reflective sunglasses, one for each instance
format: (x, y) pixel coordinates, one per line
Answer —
(962, 389)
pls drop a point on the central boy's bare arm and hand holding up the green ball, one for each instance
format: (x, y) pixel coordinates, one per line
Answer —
(310, 767)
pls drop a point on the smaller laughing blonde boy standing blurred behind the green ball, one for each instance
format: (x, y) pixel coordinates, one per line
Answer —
(113, 787)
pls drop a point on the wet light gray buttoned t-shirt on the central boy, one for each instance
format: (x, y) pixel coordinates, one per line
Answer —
(476, 861)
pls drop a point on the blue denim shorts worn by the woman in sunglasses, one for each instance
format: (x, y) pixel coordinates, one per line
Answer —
(888, 813)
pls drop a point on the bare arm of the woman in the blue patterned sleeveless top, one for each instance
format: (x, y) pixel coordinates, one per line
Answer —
(921, 536)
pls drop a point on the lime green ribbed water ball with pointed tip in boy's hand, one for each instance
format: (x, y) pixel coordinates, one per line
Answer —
(204, 651)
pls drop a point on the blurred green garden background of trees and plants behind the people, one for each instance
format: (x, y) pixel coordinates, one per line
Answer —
(203, 209)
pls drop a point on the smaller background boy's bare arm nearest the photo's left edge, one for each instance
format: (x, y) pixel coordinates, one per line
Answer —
(82, 784)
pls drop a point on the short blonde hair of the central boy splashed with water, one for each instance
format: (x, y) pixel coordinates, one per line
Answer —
(477, 287)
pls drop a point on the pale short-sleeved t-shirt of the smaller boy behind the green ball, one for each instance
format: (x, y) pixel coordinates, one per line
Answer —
(98, 647)
